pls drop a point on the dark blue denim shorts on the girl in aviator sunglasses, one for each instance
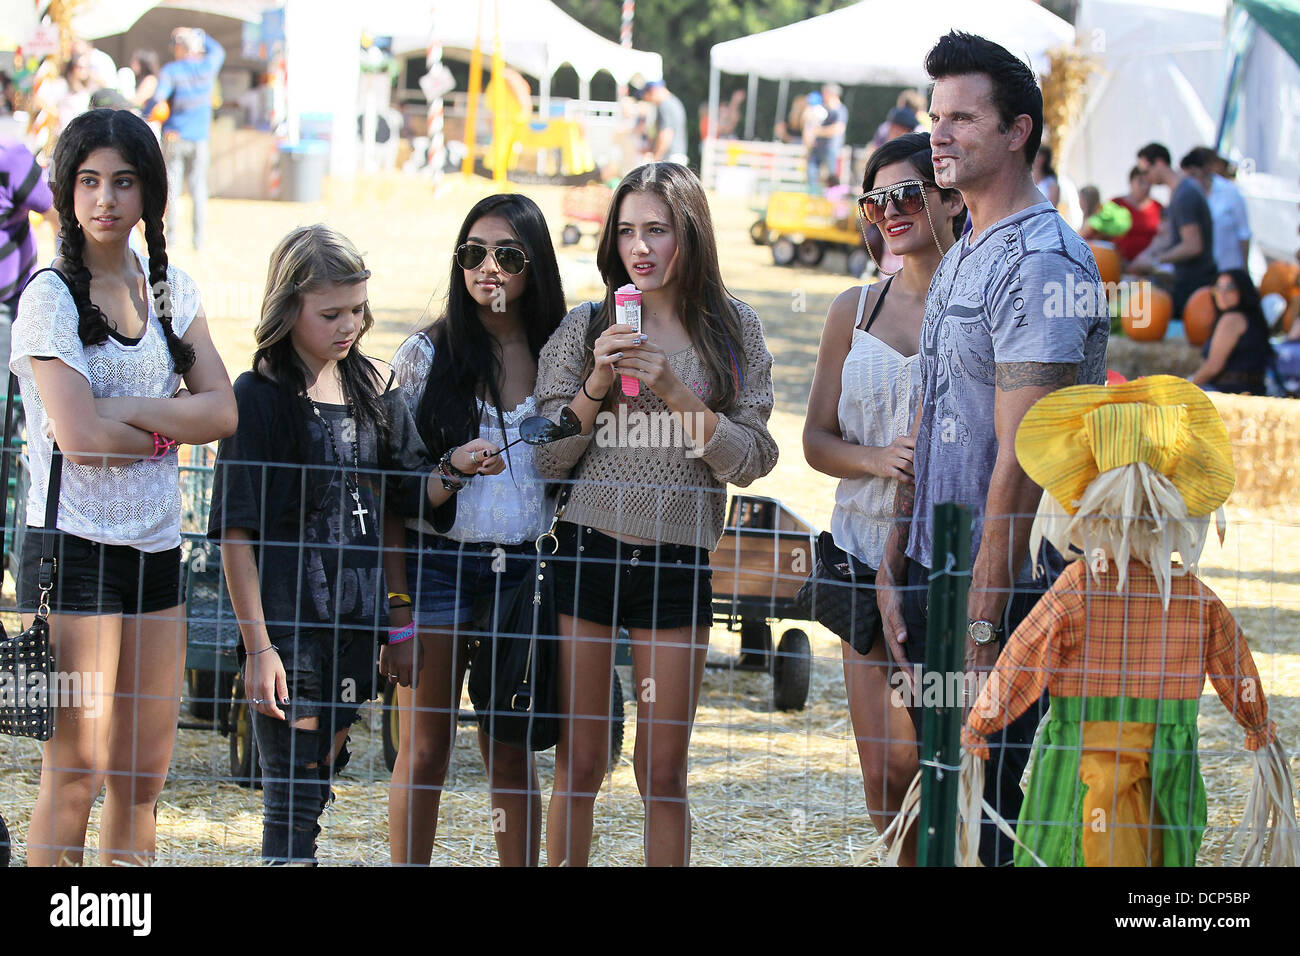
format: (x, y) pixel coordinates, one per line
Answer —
(454, 583)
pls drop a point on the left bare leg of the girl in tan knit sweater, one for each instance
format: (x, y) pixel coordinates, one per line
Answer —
(583, 752)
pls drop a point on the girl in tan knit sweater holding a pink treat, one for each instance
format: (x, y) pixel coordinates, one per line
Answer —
(635, 539)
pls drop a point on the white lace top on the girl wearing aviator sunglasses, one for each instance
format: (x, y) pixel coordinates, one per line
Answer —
(506, 509)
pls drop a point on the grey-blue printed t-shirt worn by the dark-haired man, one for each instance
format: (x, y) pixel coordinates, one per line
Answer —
(1026, 291)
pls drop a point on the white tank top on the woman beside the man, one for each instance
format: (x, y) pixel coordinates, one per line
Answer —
(879, 391)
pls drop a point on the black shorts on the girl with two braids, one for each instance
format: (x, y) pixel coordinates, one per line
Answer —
(101, 579)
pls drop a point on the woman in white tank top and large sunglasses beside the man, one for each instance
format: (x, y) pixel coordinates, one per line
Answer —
(865, 393)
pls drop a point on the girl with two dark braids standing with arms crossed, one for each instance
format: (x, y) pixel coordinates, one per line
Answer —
(102, 345)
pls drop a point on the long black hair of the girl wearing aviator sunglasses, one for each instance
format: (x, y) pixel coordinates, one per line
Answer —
(467, 362)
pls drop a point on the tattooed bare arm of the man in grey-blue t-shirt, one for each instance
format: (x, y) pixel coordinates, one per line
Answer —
(1013, 498)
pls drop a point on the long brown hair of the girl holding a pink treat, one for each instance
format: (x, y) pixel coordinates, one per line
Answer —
(704, 302)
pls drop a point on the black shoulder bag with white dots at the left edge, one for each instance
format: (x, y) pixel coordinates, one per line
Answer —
(29, 712)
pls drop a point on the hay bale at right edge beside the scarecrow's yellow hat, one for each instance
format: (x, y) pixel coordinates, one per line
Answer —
(1266, 435)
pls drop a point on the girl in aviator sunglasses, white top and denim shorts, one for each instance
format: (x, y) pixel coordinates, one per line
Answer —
(469, 379)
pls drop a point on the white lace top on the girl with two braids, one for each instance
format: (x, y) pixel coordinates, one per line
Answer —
(138, 504)
